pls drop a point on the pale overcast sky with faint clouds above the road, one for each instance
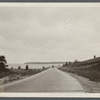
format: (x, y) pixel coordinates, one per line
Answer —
(33, 34)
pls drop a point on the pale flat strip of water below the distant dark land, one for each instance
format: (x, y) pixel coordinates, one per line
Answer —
(31, 66)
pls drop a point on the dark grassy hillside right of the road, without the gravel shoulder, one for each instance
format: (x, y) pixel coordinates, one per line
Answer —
(89, 69)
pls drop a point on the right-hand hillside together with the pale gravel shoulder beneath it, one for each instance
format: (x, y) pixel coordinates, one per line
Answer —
(87, 73)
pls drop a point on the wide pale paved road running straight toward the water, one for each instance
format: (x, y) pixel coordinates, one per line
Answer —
(51, 80)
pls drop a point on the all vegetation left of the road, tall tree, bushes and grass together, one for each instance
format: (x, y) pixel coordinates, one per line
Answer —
(12, 74)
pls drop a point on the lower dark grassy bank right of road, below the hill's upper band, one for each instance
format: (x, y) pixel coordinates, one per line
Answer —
(92, 72)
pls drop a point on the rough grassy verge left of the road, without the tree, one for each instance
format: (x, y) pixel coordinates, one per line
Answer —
(10, 75)
